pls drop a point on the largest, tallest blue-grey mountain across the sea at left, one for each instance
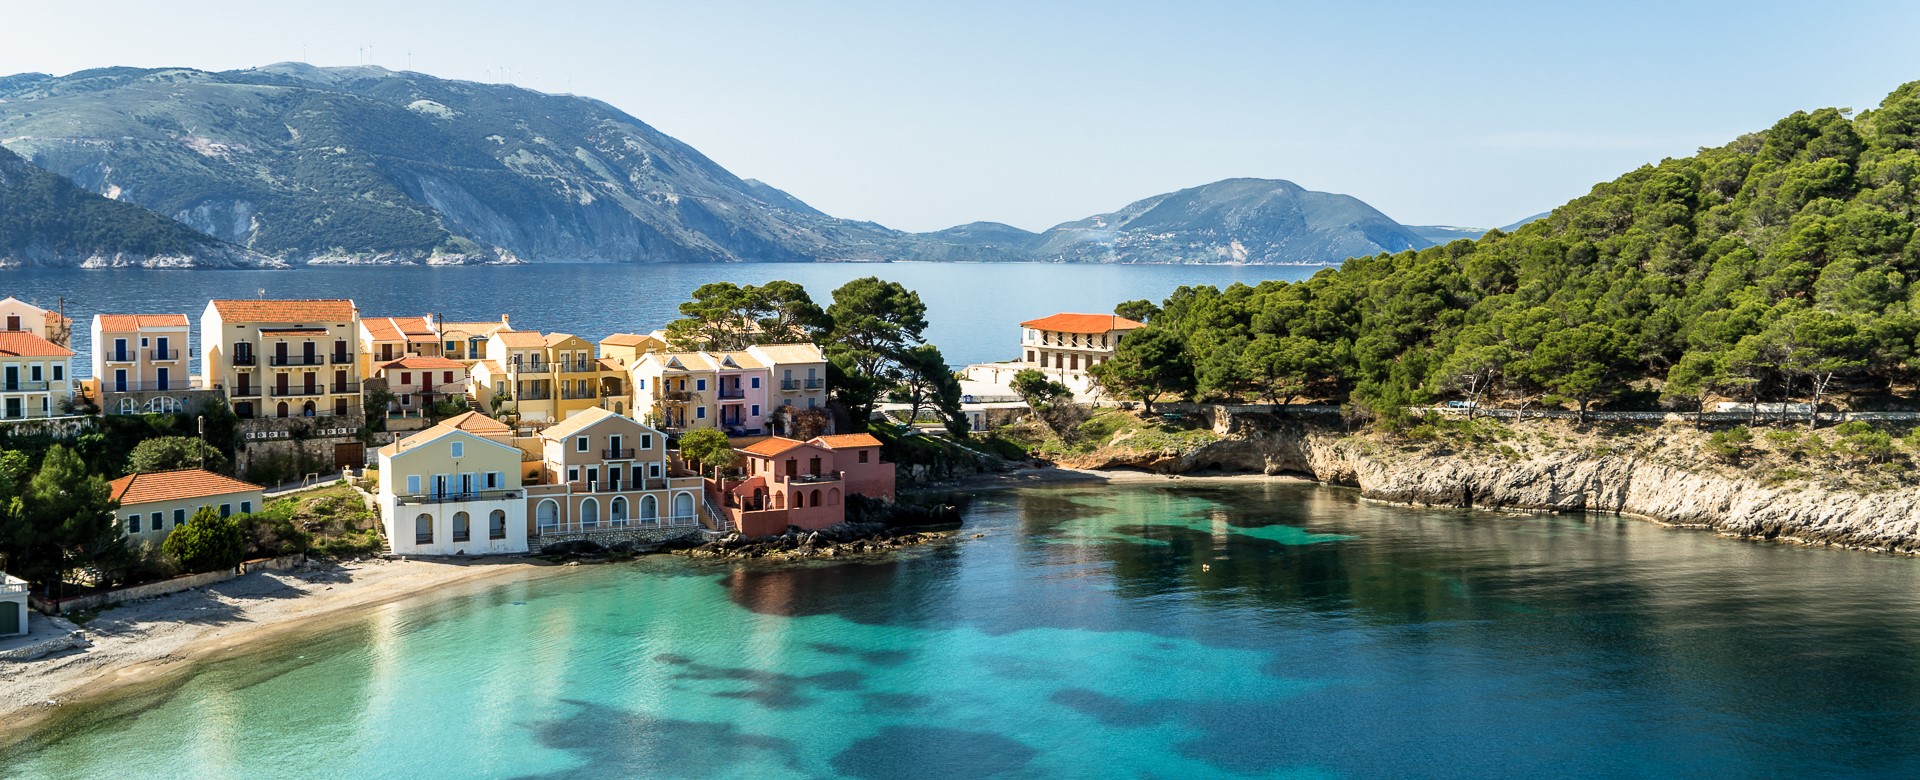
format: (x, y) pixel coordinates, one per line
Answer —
(366, 164)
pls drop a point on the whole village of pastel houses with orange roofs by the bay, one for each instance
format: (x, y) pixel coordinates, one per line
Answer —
(475, 439)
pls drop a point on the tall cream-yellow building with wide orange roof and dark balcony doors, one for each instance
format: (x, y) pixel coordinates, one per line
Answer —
(283, 358)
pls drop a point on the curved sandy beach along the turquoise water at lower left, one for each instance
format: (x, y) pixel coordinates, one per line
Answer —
(145, 641)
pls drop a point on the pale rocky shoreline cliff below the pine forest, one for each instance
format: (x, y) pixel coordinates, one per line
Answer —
(1550, 481)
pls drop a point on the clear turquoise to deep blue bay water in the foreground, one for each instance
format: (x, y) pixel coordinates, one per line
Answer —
(1153, 631)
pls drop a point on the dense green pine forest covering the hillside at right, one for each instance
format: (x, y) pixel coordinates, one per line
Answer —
(1777, 268)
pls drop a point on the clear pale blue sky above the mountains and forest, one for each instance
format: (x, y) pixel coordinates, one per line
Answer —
(1032, 114)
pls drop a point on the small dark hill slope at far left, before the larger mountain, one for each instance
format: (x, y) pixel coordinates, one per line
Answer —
(49, 222)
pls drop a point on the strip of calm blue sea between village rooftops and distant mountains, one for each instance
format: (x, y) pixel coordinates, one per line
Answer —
(974, 310)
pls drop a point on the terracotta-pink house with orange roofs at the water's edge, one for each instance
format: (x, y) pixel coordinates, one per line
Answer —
(802, 485)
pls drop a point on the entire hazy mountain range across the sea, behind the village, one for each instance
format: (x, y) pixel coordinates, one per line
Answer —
(299, 164)
